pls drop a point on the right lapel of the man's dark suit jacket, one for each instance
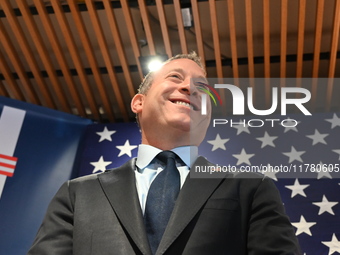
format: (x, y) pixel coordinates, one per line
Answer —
(195, 192)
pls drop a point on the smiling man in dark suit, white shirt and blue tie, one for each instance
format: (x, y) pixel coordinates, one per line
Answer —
(150, 205)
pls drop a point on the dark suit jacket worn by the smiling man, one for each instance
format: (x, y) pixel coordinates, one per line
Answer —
(101, 214)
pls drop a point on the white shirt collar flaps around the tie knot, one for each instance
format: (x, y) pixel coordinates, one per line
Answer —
(146, 153)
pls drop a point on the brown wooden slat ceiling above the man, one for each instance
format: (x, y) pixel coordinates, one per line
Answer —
(81, 56)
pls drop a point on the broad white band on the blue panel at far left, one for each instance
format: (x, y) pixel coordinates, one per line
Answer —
(10, 126)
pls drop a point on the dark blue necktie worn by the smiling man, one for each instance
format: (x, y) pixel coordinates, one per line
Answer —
(161, 199)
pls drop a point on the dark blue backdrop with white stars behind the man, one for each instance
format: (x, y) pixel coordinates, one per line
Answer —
(313, 203)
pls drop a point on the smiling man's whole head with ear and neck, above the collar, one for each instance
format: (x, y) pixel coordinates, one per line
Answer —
(170, 105)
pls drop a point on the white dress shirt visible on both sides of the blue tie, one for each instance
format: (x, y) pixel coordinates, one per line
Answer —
(148, 167)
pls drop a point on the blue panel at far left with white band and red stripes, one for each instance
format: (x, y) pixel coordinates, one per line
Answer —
(38, 148)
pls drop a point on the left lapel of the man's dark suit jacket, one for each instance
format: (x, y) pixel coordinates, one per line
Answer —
(119, 185)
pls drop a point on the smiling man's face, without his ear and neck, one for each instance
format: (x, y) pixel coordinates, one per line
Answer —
(173, 102)
